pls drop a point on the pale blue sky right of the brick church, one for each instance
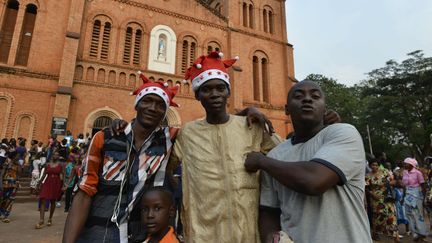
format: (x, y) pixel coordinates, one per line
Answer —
(345, 39)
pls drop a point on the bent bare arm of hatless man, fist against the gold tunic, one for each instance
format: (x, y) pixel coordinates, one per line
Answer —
(306, 177)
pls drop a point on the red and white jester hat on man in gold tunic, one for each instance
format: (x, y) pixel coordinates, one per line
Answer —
(209, 67)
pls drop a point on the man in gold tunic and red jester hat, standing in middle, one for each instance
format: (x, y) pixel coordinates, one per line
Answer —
(220, 198)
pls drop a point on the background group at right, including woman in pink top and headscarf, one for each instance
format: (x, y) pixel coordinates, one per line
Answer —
(399, 194)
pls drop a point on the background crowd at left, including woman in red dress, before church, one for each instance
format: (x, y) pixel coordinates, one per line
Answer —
(54, 168)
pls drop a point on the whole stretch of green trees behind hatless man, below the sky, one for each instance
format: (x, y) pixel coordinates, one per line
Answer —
(395, 101)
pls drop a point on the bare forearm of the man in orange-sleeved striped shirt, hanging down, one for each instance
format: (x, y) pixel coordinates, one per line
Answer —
(77, 217)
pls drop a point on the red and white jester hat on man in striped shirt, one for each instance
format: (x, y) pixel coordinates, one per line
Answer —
(158, 88)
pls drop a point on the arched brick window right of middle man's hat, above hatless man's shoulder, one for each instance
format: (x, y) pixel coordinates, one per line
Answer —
(260, 82)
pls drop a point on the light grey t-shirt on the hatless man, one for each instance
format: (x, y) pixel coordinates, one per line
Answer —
(338, 215)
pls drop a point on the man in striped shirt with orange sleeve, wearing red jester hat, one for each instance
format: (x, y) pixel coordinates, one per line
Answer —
(118, 168)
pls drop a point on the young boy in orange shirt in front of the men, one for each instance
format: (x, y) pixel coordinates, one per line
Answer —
(157, 207)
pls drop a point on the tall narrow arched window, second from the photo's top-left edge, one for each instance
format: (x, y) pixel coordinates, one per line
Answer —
(26, 35)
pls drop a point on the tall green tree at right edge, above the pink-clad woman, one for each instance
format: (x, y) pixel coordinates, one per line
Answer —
(398, 98)
